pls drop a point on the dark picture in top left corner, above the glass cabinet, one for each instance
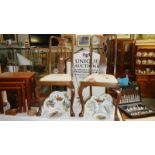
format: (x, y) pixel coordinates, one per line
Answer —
(13, 37)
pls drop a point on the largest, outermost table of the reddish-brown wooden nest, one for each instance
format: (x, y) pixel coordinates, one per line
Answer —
(27, 77)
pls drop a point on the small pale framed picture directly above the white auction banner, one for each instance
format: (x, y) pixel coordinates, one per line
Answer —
(83, 40)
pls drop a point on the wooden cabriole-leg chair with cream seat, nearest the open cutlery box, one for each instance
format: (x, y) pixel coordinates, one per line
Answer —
(100, 79)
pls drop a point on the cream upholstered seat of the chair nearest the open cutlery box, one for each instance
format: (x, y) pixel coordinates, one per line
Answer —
(106, 78)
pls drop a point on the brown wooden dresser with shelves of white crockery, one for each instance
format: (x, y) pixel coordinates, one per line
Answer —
(145, 70)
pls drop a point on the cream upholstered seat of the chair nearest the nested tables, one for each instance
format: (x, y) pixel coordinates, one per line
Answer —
(56, 77)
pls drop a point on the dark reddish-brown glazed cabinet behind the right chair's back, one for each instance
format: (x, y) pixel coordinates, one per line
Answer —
(125, 58)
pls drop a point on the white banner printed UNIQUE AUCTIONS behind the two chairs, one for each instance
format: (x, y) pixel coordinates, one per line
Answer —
(81, 68)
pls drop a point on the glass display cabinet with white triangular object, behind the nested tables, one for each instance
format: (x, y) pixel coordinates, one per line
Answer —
(17, 58)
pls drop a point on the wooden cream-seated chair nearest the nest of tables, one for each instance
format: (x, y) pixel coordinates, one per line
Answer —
(56, 58)
